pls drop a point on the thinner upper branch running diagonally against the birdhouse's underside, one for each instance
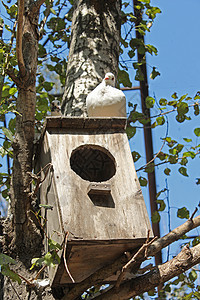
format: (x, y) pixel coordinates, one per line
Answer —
(118, 264)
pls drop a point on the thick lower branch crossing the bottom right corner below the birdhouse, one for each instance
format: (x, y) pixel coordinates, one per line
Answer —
(186, 259)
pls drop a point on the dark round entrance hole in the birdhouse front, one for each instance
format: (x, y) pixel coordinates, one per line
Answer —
(93, 163)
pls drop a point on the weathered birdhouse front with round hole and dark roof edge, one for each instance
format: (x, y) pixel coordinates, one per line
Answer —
(95, 181)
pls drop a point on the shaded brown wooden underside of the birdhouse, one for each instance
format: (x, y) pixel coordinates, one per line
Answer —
(83, 260)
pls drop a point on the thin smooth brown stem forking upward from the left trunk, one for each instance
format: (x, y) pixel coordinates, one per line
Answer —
(20, 59)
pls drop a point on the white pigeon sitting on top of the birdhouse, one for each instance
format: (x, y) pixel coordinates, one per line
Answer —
(105, 100)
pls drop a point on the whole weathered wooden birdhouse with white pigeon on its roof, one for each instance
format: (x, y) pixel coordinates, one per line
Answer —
(94, 192)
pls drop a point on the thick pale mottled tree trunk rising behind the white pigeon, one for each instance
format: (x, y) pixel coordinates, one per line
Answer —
(94, 50)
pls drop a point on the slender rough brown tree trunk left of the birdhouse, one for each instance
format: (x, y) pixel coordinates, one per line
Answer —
(22, 237)
